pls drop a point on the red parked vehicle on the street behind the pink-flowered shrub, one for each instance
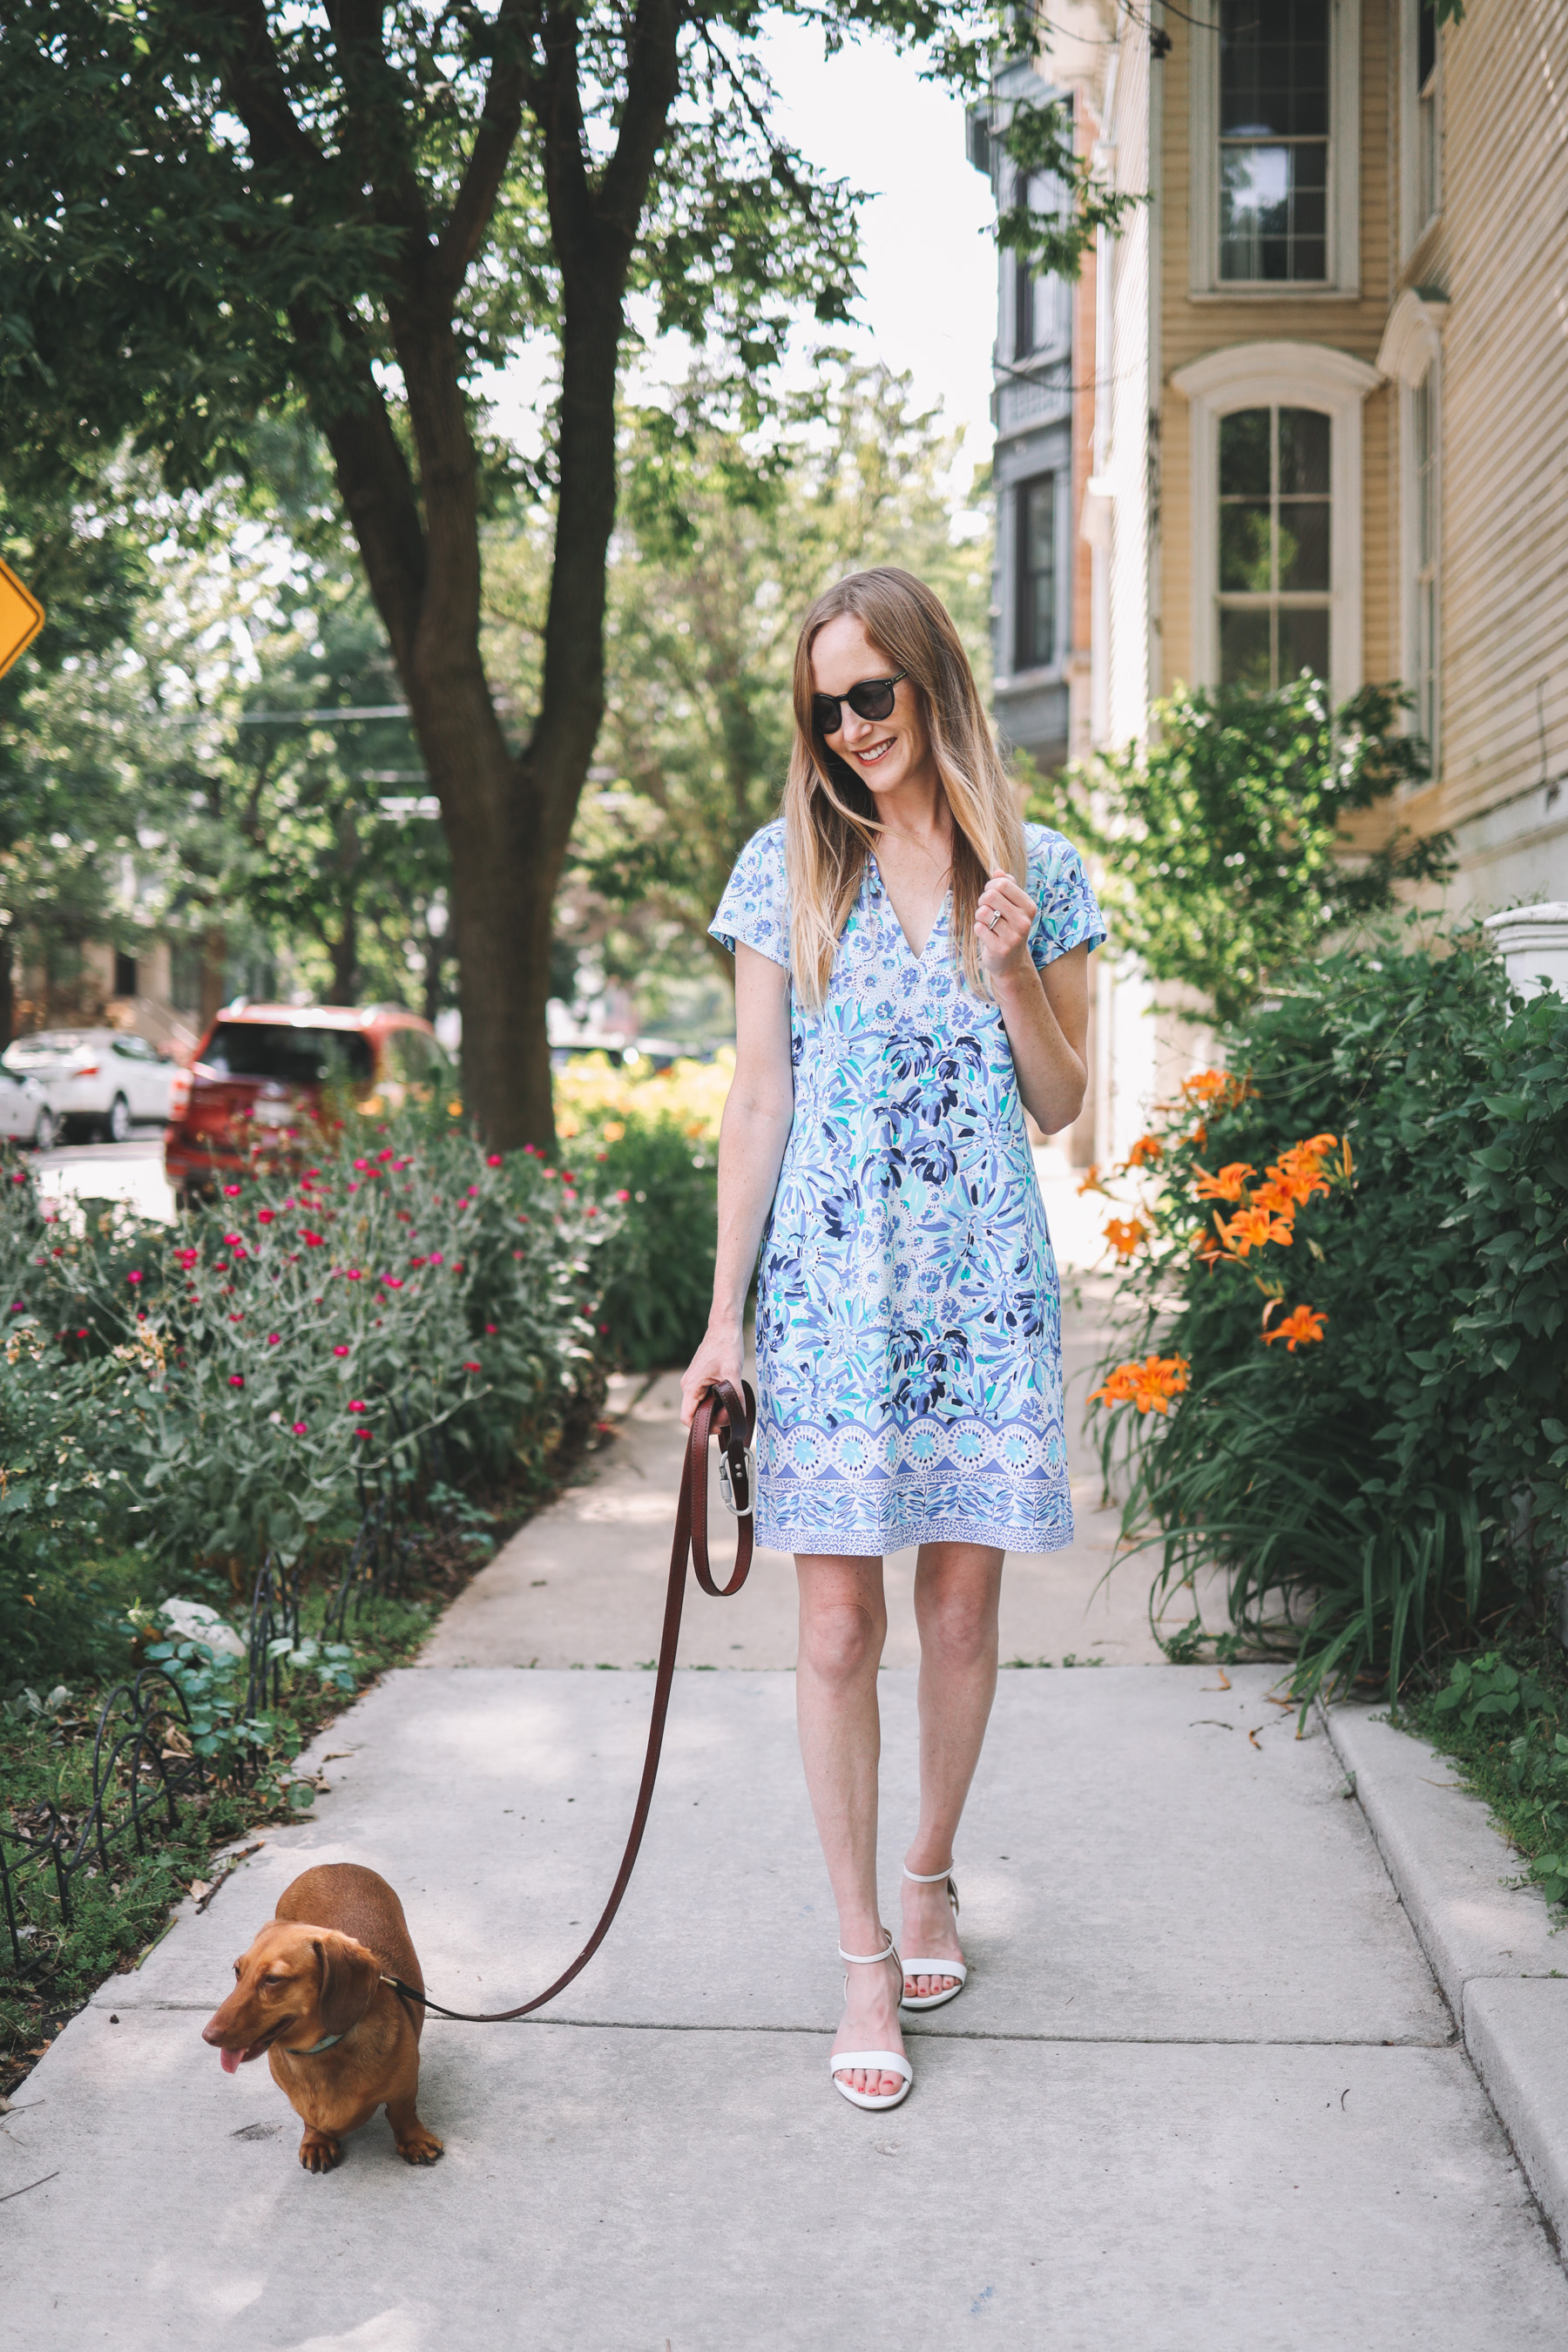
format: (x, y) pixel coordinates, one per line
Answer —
(264, 1069)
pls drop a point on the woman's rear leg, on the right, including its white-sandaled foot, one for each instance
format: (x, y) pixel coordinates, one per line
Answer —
(958, 1589)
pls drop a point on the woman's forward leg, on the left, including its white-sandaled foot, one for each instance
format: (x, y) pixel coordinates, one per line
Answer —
(843, 1626)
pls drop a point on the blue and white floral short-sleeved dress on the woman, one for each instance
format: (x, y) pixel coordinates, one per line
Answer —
(909, 1318)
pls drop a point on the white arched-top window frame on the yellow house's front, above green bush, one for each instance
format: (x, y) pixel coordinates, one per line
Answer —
(1292, 377)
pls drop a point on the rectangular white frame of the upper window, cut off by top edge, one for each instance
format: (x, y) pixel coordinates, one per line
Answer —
(1343, 281)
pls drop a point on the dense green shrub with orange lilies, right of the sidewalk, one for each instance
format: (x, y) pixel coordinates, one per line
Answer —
(1400, 1481)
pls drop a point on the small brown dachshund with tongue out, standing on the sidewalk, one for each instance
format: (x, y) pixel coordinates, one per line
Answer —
(309, 1993)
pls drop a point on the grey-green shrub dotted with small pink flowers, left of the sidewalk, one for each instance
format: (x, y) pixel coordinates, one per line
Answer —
(309, 1339)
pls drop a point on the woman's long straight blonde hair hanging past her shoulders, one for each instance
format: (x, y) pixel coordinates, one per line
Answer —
(831, 815)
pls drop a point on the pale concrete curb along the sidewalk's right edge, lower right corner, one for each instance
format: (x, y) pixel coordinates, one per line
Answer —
(1492, 1946)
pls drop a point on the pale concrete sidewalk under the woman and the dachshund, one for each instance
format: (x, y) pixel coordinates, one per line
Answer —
(1202, 2090)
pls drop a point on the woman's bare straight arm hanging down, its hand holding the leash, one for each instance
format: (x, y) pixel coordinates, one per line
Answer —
(751, 1154)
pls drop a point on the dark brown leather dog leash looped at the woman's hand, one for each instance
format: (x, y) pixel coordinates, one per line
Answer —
(732, 1422)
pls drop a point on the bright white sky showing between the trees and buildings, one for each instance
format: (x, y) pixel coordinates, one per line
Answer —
(930, 267)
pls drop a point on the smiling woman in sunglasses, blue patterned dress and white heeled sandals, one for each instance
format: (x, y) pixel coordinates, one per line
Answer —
(911, 975)
